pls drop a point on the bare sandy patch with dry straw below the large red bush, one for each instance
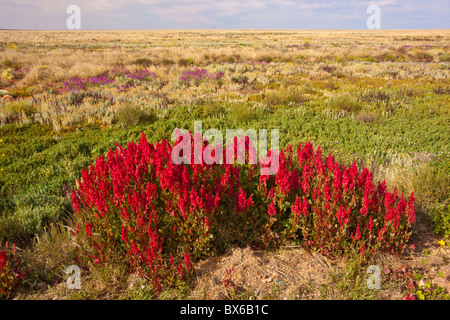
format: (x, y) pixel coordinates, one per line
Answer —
(248, 274)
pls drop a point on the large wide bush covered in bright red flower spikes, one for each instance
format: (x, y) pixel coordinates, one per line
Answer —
(163, 215)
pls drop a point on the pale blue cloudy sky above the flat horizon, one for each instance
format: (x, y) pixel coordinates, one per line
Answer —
(225, 14)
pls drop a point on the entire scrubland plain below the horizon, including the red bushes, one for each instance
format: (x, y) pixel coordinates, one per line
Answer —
(363, 119)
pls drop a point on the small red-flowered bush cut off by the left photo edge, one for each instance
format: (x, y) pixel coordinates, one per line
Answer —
(9, 276)
